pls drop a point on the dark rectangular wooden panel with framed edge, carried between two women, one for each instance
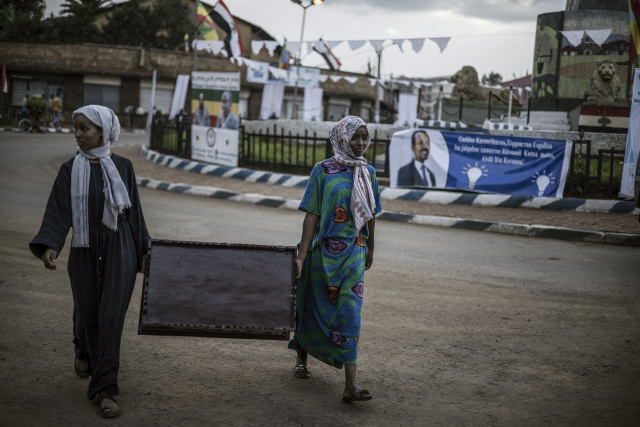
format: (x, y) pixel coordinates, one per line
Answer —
(218, 290)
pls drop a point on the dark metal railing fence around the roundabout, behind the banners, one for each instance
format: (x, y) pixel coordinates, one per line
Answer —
(595, 175)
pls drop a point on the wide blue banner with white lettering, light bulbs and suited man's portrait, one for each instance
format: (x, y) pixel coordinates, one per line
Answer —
(429, 158)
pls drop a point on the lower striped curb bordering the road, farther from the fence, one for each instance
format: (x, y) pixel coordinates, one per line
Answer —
(541, 231)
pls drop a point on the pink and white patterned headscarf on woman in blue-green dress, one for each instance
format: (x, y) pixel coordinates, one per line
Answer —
(363, 201)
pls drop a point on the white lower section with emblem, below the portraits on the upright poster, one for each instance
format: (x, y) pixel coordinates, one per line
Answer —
(212, 145)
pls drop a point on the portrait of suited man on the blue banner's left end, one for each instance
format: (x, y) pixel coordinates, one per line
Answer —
(418, 158)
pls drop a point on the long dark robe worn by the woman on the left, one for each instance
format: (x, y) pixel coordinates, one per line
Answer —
(103, 275)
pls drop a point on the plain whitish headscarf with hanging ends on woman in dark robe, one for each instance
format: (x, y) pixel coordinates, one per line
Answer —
(116, 197)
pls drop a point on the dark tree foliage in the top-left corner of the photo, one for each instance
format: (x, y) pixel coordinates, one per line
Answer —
(22, 20)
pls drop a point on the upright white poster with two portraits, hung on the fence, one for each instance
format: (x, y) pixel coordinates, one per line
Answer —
(215, 122)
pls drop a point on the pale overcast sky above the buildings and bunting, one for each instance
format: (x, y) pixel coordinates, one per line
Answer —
(490, 35)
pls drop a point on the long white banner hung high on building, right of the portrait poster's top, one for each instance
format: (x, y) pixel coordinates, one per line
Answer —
(262, 72)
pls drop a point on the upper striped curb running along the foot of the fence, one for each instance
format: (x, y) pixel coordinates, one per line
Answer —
(423, 196)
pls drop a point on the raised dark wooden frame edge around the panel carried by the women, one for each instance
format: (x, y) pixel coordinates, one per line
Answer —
(227, 331)
